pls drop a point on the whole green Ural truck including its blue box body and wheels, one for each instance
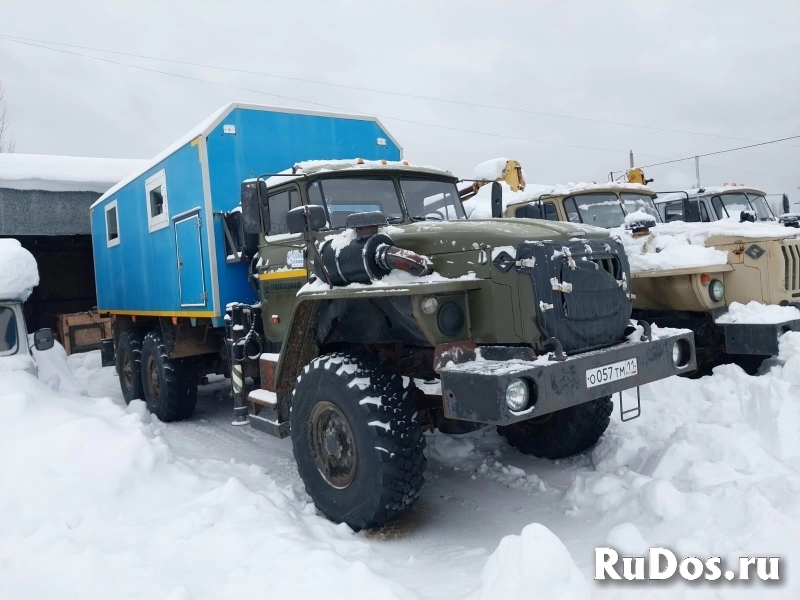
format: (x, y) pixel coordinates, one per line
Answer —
(378, 311)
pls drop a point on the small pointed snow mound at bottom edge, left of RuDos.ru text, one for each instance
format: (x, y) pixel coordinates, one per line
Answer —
(532, 565)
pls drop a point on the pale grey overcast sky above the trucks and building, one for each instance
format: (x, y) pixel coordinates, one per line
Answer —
(729, 69)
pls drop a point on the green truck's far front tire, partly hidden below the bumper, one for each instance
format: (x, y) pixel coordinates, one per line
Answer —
(562, 433)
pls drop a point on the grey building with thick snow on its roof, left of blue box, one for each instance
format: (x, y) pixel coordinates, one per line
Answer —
(44, 203)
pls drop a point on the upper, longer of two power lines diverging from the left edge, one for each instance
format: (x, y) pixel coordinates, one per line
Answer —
(377, 91)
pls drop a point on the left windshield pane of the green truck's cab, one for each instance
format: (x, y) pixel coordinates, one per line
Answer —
(345, 196)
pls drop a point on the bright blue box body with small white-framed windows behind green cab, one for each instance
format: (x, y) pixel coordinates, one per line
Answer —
(180, 269)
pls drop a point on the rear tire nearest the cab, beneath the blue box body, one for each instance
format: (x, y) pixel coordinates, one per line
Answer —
(169, 385)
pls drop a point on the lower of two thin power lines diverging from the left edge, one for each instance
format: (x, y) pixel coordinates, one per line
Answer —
(320, 104)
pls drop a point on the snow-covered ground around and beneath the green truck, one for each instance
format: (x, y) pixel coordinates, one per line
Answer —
(100, 500)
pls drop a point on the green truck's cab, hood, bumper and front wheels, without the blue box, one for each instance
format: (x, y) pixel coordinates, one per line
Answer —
(384, 313)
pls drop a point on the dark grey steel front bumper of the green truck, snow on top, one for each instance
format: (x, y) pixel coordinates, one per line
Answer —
(474, 380)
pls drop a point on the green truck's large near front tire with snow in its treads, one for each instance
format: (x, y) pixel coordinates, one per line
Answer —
(382, 421)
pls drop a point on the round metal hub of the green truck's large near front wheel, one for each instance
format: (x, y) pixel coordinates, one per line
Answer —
(333, 444)
